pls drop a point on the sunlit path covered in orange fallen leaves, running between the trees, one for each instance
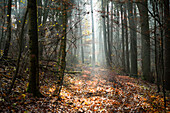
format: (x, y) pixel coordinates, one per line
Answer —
(107, 92)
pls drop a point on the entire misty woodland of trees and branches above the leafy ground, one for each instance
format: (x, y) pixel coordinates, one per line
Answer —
(136, 49)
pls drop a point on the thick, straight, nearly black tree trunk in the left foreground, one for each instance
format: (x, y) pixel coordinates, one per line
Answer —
(33, 86)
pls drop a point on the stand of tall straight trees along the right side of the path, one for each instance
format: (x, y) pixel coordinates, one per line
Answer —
(137, 39)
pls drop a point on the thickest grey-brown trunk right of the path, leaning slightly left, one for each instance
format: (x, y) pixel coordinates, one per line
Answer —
(145, 36)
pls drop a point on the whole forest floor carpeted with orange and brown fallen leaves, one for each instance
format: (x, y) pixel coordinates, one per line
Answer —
(100, 91)
